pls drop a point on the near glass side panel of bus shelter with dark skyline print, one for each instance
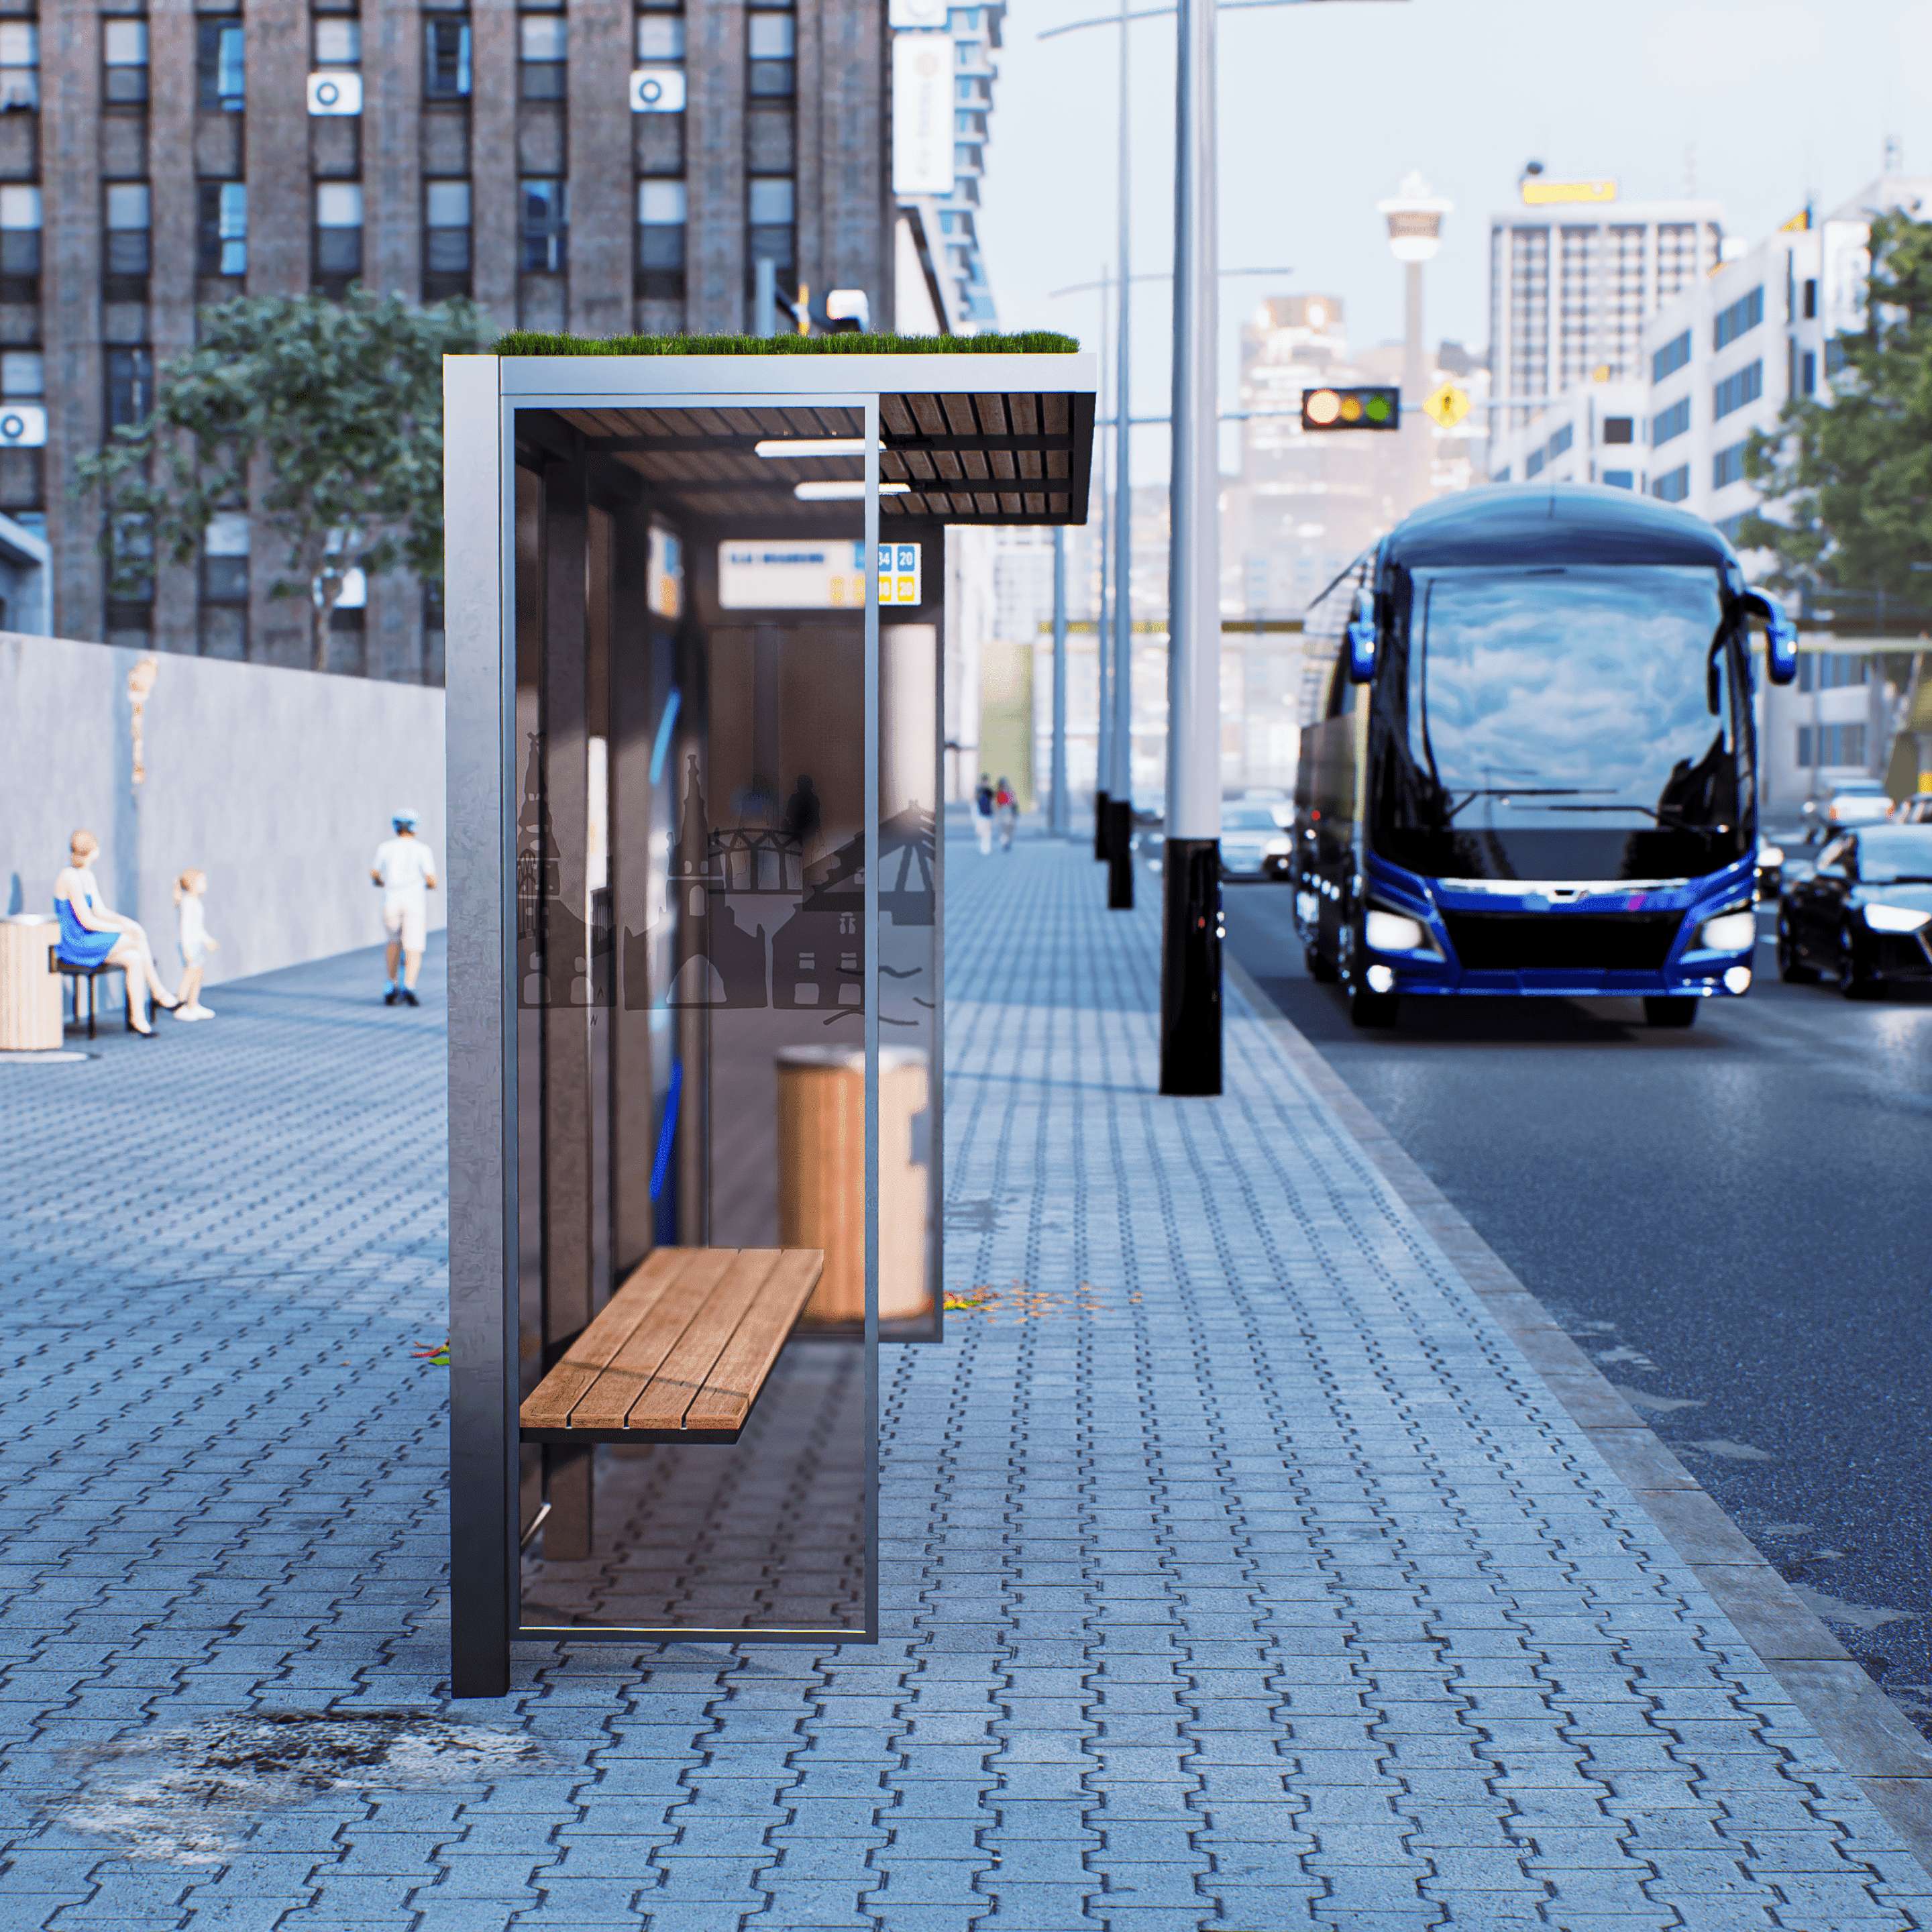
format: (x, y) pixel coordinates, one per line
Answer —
(696, 1328)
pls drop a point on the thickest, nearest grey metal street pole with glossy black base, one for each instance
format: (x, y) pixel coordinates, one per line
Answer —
(1191, 874)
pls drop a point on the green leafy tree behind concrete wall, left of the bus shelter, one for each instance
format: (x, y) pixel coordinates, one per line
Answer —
(331, 411)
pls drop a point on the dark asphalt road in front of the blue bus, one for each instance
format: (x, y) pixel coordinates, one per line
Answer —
(1736, 1222)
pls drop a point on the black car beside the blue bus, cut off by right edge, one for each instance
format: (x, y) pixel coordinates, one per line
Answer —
(1863, 915)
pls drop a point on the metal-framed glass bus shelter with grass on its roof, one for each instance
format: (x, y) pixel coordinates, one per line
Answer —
(695, 617)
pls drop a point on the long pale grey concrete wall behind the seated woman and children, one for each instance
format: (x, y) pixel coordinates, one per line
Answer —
(275, 783)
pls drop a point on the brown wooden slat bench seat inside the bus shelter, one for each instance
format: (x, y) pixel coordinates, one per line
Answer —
(679, 1353)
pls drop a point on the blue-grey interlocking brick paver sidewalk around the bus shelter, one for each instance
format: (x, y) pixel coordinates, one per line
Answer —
(1237, 1570)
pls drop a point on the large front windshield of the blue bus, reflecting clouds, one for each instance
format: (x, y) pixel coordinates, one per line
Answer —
(1589, 700)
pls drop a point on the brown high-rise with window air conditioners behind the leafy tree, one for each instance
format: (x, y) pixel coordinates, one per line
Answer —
(598, 167)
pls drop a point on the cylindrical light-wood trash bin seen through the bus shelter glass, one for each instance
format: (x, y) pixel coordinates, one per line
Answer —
(822, 1178)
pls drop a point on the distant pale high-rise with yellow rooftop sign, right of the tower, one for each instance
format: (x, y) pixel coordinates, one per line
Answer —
(1574, 277)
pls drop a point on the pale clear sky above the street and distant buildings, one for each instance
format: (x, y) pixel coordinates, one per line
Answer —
(1326, 107)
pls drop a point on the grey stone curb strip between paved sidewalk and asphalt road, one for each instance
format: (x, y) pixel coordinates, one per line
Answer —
(1861, 1726)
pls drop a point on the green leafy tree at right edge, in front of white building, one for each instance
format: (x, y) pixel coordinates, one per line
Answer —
(1848, 478)
